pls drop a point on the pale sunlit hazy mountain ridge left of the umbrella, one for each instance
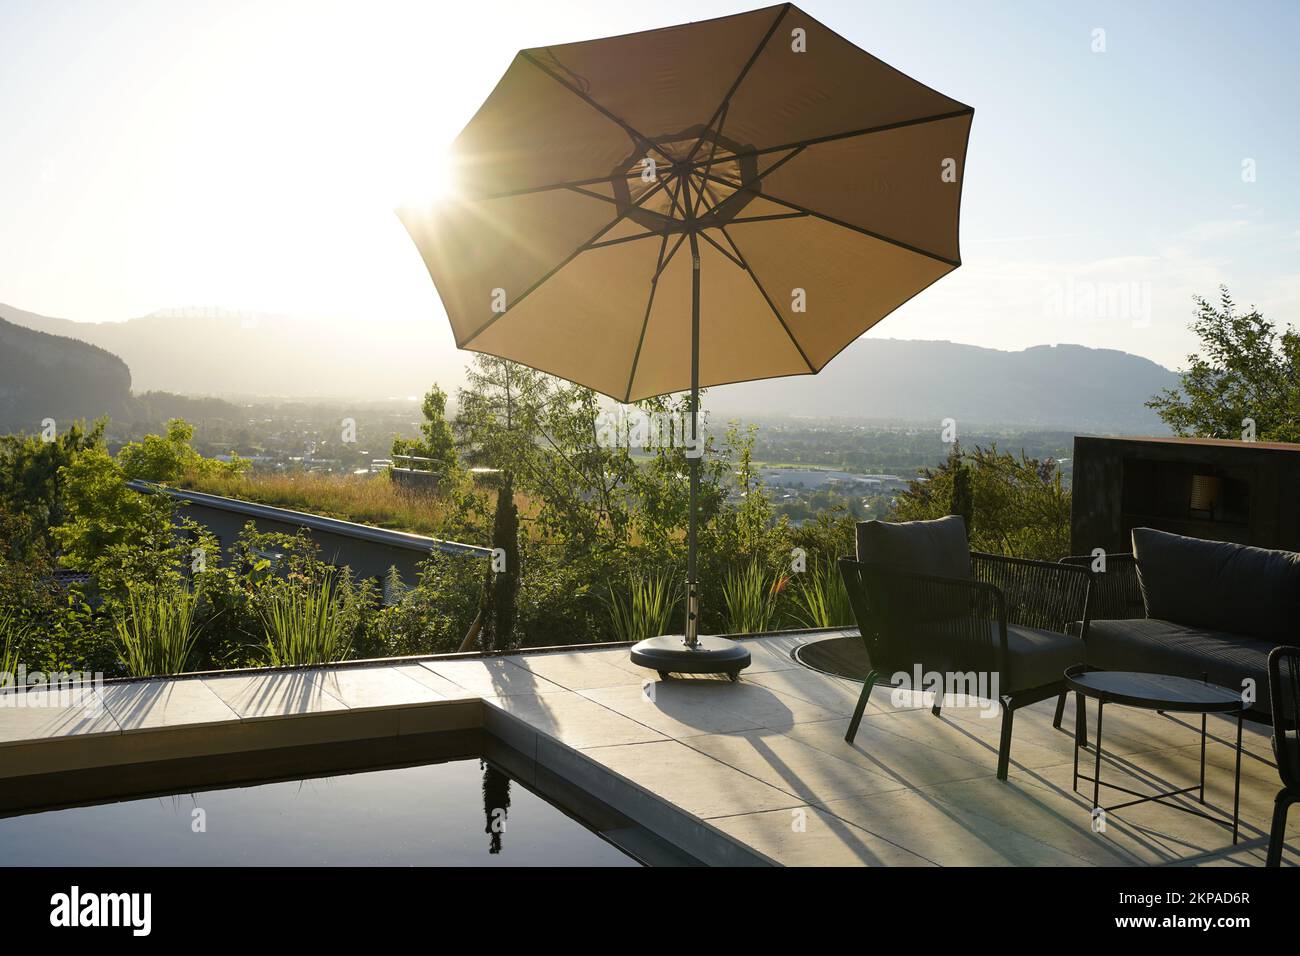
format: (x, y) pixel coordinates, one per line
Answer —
(227, 353)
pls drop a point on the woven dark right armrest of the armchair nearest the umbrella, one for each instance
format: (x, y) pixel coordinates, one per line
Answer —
(1039, 594)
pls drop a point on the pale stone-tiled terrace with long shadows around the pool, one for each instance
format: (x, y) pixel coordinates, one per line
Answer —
(752, 759)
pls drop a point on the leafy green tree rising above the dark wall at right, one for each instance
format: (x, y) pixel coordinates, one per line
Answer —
(1247, 369)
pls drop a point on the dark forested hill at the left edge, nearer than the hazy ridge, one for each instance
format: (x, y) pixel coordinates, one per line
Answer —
(57, 378)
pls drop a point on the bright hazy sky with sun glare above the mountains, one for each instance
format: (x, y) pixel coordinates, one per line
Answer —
(249, 155)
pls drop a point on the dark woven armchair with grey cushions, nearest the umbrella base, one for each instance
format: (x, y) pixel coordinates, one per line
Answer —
(928, 605)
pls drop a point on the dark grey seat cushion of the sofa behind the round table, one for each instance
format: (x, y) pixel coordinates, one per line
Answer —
(1165, 647)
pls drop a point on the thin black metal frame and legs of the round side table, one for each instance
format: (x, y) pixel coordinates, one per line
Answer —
(1165, 797)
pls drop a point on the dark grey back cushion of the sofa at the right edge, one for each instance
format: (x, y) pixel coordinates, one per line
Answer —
(1219, 586)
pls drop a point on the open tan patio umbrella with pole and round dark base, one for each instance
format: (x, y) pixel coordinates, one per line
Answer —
(709, 204)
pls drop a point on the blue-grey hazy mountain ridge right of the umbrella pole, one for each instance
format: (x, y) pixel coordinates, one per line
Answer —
(896, 380)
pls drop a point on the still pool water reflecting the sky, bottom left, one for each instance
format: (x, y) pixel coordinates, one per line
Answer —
(456, 814)
